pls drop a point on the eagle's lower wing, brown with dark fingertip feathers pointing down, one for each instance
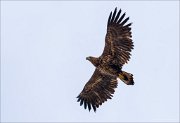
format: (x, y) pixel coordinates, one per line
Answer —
(97, 90)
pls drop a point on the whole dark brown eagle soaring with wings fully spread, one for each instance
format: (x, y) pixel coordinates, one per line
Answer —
(118, 45)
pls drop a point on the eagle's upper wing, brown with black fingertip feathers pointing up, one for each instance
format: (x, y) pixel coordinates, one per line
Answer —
(118, 42)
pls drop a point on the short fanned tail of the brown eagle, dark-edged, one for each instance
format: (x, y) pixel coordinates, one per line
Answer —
(127, 78)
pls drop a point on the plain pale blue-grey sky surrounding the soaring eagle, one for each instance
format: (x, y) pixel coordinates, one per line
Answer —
(43, 68)
